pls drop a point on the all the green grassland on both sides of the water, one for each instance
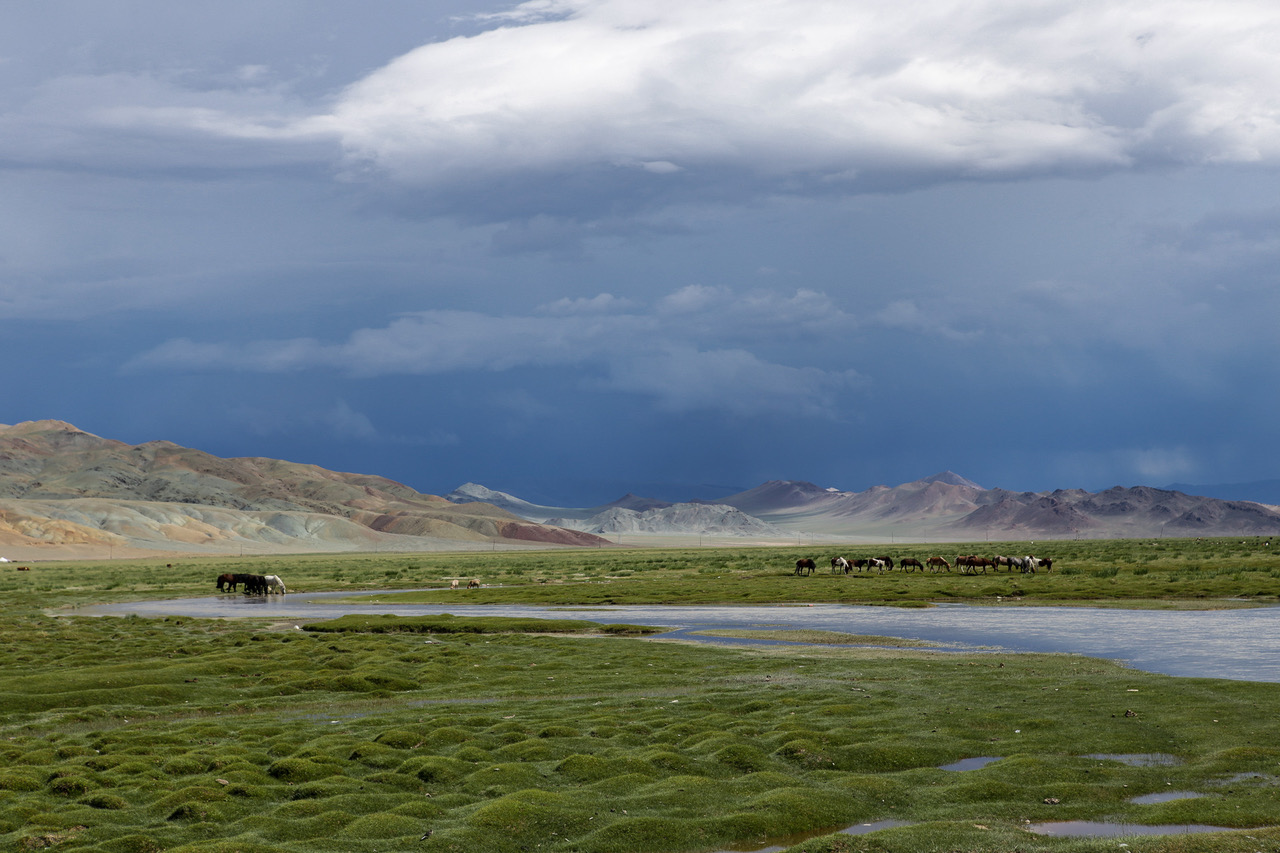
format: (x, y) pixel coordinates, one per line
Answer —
(125, 735)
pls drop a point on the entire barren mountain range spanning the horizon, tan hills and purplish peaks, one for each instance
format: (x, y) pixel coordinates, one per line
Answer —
(68, 494)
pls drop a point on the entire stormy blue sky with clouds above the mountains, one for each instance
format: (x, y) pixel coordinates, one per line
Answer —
(573, 249)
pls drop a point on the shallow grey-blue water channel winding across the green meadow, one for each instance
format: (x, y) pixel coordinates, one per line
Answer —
(1241, 645)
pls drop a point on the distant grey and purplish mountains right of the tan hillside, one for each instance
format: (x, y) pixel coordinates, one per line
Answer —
(945, 507)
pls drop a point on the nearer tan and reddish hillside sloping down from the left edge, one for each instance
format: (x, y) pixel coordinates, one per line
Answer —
(61, 485)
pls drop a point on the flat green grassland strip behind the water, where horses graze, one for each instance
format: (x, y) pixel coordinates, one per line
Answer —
(1163, 573)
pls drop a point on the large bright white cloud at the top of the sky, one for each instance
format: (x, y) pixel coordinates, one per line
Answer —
(808, 90)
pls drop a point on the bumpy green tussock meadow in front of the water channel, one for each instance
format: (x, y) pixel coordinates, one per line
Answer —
(597, 745)
